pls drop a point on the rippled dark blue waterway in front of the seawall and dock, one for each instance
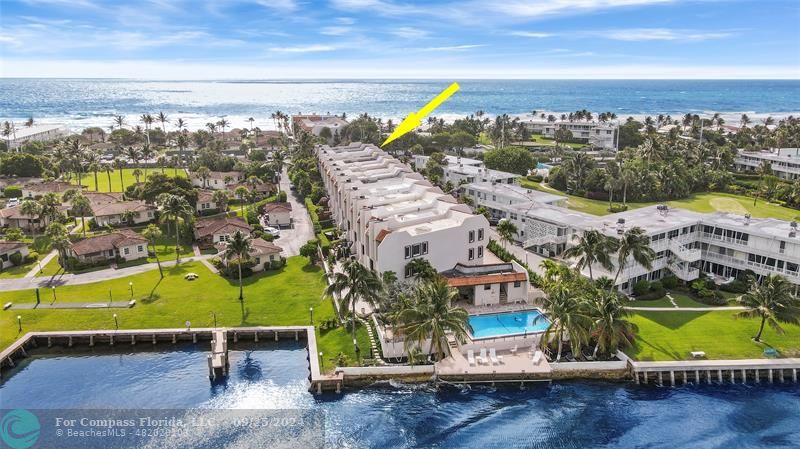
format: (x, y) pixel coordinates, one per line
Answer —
(394, 415)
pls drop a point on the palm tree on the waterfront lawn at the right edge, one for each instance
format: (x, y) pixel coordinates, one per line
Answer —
(773, 301)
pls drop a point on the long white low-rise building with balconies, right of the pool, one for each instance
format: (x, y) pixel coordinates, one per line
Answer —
(685, 242)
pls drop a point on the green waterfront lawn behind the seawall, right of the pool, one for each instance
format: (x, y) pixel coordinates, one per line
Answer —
(672, 335)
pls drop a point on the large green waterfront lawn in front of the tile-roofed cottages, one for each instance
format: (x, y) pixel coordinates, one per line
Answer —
(272, 298)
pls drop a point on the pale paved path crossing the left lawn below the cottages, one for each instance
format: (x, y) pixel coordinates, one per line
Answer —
(87, 278)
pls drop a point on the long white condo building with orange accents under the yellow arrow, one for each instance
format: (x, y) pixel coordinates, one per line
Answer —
(392, 215)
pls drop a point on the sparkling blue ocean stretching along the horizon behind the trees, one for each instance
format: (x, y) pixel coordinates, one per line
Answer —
(79, 103)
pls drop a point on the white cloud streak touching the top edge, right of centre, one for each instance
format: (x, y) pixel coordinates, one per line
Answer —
(524, 8)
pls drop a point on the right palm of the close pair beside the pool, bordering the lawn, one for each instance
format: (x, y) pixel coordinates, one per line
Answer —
(610, 327)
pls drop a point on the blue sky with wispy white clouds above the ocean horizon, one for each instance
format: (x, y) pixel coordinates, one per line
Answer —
(193, 39)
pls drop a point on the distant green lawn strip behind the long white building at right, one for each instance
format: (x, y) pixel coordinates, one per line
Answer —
(700, 202)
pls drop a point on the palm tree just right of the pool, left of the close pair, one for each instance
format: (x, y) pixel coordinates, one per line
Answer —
(567, 316)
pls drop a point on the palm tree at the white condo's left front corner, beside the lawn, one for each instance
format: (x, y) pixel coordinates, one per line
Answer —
(355, 282)
